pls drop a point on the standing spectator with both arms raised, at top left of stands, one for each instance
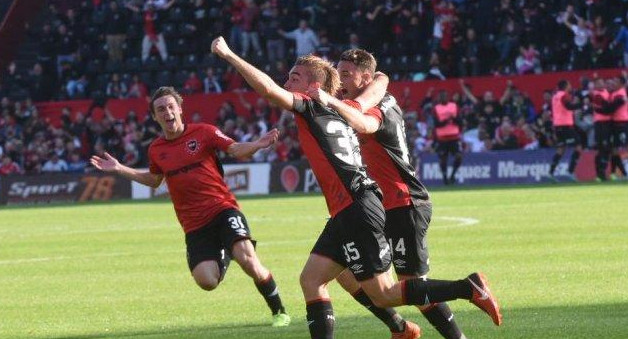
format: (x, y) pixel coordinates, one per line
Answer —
(153, 36)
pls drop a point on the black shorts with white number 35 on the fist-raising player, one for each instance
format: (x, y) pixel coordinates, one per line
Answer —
(355, 238)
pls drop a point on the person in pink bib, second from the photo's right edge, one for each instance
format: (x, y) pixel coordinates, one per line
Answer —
(602, 127)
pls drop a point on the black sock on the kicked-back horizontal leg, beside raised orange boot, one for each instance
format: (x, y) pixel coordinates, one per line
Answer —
(425, 292)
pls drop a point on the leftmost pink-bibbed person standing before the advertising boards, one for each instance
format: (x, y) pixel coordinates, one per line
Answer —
(447, 131)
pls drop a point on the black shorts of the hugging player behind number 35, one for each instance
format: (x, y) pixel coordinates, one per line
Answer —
(406, 230)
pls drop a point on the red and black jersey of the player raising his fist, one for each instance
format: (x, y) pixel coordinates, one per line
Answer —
(332, 148)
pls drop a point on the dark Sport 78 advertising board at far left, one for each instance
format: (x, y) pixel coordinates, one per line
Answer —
(47, 188)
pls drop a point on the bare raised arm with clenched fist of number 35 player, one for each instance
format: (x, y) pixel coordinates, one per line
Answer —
(257, 79)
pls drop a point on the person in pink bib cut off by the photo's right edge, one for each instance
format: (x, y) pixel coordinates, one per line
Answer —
(619, 125)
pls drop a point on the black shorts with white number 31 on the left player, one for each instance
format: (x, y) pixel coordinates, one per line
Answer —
(215, 240)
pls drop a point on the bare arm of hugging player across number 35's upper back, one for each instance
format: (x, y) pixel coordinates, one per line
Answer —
(360, 122)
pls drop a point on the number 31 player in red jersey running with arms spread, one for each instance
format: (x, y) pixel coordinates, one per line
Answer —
(215, 229)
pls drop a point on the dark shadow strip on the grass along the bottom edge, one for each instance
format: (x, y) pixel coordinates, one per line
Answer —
(581, 321)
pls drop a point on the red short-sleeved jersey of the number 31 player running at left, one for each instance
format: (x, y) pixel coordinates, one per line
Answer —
(193, 174)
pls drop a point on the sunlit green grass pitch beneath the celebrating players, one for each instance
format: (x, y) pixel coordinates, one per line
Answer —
(557, 259)
